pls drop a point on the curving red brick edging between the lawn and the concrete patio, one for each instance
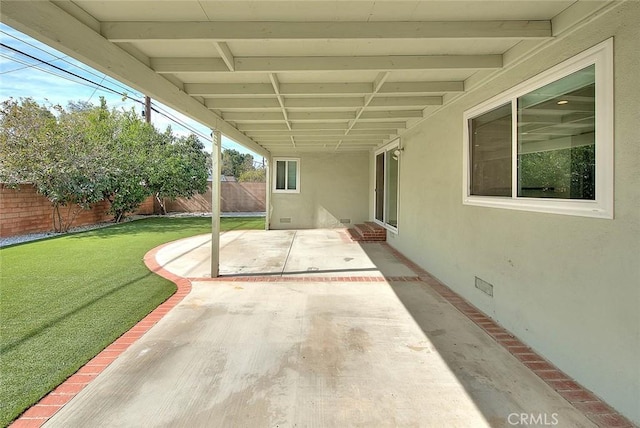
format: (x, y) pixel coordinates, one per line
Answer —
(43, 410)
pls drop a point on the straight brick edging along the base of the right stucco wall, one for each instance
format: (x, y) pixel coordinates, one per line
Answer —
(583, 400)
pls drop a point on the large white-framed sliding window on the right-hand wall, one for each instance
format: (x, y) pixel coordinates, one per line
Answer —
(546, 145)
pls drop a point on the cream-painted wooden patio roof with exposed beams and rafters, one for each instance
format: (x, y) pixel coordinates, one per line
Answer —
(300, 75)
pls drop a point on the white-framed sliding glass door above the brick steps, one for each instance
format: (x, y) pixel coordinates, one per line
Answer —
(387, 174)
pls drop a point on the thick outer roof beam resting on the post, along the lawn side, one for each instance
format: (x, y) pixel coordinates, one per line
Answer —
(49, 24)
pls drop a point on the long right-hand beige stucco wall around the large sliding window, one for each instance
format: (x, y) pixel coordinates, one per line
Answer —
(567, 286)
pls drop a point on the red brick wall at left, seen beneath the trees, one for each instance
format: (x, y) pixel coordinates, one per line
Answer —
(23, 211)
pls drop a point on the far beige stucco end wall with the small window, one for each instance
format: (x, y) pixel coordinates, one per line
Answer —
(333, 187)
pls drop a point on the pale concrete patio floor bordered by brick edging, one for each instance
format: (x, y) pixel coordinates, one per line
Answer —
(317, 331)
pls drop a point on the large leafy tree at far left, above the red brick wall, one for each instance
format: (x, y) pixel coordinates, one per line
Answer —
(54, 155)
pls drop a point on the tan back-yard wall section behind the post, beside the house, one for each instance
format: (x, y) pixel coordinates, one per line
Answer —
(234, 197)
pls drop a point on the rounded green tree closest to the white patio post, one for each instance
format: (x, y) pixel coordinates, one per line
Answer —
(180, 169)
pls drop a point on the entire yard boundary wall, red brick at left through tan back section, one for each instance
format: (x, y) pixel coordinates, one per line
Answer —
(24, 211)
